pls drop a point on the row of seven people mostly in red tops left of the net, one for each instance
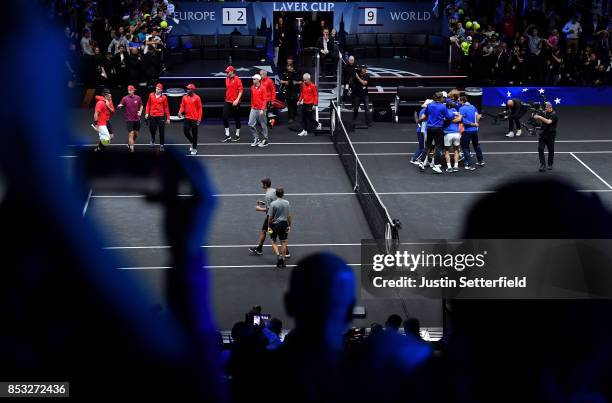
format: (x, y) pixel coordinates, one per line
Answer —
(157, 112)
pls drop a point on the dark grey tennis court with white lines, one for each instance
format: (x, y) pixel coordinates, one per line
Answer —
(327, 213)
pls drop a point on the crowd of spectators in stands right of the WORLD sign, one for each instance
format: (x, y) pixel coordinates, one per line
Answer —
(559, 43)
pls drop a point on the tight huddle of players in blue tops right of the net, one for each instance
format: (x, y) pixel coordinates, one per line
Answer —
(447, 123)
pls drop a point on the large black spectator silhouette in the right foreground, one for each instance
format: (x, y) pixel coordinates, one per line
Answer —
(556, 210)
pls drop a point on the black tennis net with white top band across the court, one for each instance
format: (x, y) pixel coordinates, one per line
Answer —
(376, 213)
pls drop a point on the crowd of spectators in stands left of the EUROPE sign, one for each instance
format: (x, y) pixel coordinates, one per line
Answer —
(113, 43)
